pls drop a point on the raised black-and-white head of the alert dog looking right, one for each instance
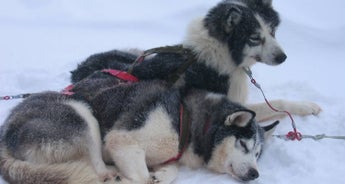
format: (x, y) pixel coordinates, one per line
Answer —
(248, 28)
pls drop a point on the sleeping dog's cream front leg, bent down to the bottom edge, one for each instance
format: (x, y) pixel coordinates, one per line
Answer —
(128, 156)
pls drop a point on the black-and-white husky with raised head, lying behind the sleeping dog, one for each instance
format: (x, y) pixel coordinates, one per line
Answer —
(234, 35)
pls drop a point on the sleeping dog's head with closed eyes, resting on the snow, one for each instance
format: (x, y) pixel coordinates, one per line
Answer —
(238, 145)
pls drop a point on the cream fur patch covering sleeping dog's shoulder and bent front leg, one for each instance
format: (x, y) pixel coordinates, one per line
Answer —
(151, 145)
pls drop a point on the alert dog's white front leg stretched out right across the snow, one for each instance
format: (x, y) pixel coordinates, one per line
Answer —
(301, 108)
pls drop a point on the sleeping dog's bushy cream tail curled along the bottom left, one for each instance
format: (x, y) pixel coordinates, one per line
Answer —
(23, 172)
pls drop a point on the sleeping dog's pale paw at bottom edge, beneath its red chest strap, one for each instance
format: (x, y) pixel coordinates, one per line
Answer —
(165, 174)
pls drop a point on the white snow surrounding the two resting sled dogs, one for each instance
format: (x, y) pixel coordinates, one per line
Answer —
(41, 41)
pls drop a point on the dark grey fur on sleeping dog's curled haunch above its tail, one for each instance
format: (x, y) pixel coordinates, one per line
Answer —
(32, 122)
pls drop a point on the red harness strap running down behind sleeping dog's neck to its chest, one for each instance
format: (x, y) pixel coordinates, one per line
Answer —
(184, 135)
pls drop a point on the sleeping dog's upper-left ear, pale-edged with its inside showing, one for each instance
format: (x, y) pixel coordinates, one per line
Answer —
(239, 118)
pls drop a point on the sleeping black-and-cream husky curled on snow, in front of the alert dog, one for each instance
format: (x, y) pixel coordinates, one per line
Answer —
(54, 138)
